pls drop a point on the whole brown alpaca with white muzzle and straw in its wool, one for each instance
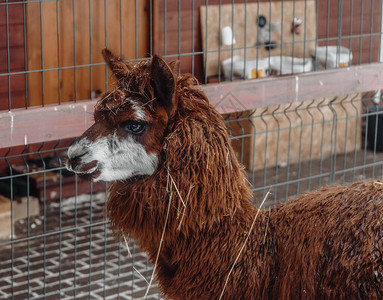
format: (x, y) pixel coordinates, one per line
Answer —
(178, 190)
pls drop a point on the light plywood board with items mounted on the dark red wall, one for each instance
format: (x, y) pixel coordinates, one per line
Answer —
(220, 16)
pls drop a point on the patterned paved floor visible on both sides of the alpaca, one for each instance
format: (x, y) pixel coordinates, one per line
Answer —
(79, 257)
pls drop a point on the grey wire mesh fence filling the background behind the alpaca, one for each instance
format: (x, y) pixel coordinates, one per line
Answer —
(55, 240)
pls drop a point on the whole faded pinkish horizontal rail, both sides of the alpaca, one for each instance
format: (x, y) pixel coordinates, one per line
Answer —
(35, 125)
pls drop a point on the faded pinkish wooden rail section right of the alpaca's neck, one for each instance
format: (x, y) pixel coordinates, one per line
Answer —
(243, 95)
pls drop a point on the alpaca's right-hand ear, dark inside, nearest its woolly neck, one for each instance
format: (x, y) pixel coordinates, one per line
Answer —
(164, 84)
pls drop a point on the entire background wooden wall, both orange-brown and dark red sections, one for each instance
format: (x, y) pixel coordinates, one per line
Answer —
(70, 34)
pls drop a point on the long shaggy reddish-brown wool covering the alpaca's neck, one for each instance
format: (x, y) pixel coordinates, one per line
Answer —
(198, 173)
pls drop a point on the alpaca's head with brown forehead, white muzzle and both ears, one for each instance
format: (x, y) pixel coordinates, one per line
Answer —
(130, 123)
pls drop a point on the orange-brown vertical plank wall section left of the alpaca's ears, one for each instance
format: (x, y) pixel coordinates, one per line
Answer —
(70, 35)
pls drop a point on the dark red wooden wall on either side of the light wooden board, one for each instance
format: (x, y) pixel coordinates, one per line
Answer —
(354, 13)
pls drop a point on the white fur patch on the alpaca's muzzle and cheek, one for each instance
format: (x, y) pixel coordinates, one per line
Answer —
(117, 159)
